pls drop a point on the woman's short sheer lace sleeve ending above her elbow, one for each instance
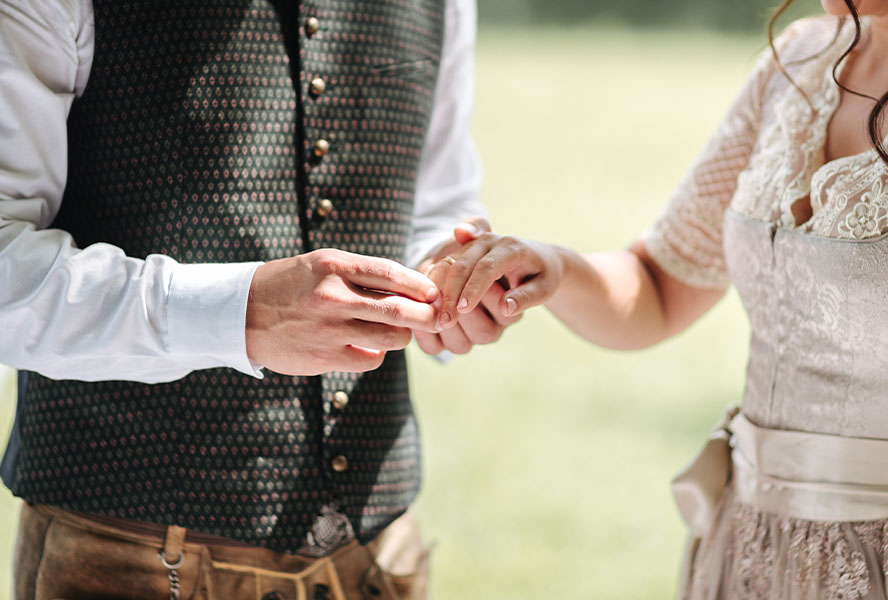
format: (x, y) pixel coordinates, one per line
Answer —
(686, 239)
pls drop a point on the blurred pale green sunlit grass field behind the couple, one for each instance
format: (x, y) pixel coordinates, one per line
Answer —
(548, 460)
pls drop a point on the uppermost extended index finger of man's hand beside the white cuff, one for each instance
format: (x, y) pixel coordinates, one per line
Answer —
(390, 277)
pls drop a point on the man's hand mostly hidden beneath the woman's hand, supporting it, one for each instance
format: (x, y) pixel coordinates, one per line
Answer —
(482, 325)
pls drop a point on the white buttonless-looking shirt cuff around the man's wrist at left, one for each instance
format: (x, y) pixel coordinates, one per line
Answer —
(207, 314)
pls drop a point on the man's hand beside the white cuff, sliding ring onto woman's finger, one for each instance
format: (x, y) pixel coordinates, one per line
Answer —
(330, 310)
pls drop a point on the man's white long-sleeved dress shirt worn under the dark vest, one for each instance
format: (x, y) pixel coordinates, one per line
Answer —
(96, 314)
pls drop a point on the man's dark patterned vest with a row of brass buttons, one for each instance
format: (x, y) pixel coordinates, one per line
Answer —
(227, 131)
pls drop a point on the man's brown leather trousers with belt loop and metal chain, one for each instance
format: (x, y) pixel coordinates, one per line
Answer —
(62, 555)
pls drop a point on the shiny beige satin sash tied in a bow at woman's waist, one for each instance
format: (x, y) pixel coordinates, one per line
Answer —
(810, 476)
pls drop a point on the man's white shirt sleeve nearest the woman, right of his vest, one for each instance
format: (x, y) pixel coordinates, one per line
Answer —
(449, 179)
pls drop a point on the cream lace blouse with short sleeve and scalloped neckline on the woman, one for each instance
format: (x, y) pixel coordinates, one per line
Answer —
(768, 155)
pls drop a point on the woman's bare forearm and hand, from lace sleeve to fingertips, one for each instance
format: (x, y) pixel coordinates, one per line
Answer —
(621, 299)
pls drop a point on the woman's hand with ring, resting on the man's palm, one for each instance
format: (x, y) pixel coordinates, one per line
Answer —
(528, 272)
